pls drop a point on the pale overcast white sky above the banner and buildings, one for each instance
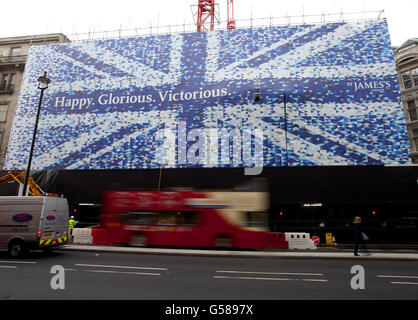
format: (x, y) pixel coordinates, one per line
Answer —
(29, 17)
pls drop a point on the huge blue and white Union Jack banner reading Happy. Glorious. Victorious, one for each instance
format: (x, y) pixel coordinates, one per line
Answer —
(328, 95)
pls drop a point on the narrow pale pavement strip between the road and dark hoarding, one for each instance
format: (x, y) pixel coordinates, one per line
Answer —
(320, 253)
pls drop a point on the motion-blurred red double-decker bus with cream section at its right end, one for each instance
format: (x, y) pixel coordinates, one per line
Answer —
(234, 219)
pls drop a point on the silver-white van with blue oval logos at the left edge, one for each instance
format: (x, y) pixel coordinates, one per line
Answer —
(32, 223)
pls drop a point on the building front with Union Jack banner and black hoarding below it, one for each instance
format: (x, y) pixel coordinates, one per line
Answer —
(317, 106)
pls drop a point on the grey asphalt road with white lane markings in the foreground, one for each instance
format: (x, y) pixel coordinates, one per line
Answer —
(93, 275)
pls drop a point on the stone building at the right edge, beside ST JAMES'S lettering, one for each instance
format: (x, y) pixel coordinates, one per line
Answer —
(406, 57)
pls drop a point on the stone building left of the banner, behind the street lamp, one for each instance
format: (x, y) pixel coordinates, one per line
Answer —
(13, 52)
